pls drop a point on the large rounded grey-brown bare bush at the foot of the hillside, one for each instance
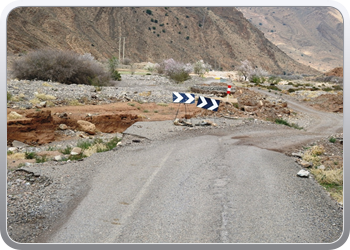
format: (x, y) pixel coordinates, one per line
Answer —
(60, 66)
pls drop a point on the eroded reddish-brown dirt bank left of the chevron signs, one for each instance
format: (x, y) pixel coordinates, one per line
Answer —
(38, 127)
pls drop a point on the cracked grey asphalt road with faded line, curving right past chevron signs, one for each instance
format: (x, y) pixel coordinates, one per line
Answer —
(208, 186)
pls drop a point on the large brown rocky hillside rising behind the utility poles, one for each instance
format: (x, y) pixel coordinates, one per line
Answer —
(220, 36)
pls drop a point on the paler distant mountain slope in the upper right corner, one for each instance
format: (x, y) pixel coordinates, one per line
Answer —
(313, 36)
